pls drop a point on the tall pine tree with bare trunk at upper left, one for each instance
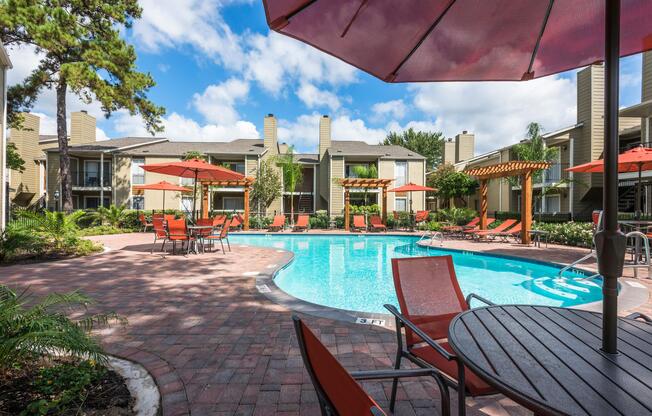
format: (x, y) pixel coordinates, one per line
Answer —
(82, 51)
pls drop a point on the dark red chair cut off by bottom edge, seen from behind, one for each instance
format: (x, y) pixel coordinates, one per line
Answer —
(338, 392)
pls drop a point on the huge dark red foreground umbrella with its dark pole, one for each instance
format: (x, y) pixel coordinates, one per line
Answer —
(480, 40)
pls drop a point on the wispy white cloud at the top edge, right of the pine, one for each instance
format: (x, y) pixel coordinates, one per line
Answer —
(195, 23)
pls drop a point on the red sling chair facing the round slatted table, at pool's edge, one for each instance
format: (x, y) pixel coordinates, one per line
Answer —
(430, 297)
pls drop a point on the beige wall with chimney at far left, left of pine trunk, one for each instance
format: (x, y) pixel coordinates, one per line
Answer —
(27, 145)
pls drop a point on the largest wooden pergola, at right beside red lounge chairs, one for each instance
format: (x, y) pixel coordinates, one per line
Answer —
(524, 169)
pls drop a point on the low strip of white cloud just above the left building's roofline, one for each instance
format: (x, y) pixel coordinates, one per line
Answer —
(178, 127)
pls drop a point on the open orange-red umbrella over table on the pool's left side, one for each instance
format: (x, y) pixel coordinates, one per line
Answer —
(196, 169)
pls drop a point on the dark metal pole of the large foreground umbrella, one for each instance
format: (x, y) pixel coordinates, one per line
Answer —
(610, 242)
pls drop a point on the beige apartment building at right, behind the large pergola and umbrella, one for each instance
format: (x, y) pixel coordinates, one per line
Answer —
(559, 191)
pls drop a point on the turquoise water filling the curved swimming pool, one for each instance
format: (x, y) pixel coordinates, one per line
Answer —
(353, 272)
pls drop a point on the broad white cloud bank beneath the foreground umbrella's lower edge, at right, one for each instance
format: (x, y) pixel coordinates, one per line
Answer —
(498, 112)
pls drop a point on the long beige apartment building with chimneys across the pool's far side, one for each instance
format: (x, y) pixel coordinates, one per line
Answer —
(106, 172)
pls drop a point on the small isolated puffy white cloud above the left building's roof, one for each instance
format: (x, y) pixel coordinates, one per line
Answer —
(217, 102)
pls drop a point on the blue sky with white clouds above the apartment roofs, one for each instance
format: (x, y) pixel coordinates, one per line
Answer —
(219, 70)
